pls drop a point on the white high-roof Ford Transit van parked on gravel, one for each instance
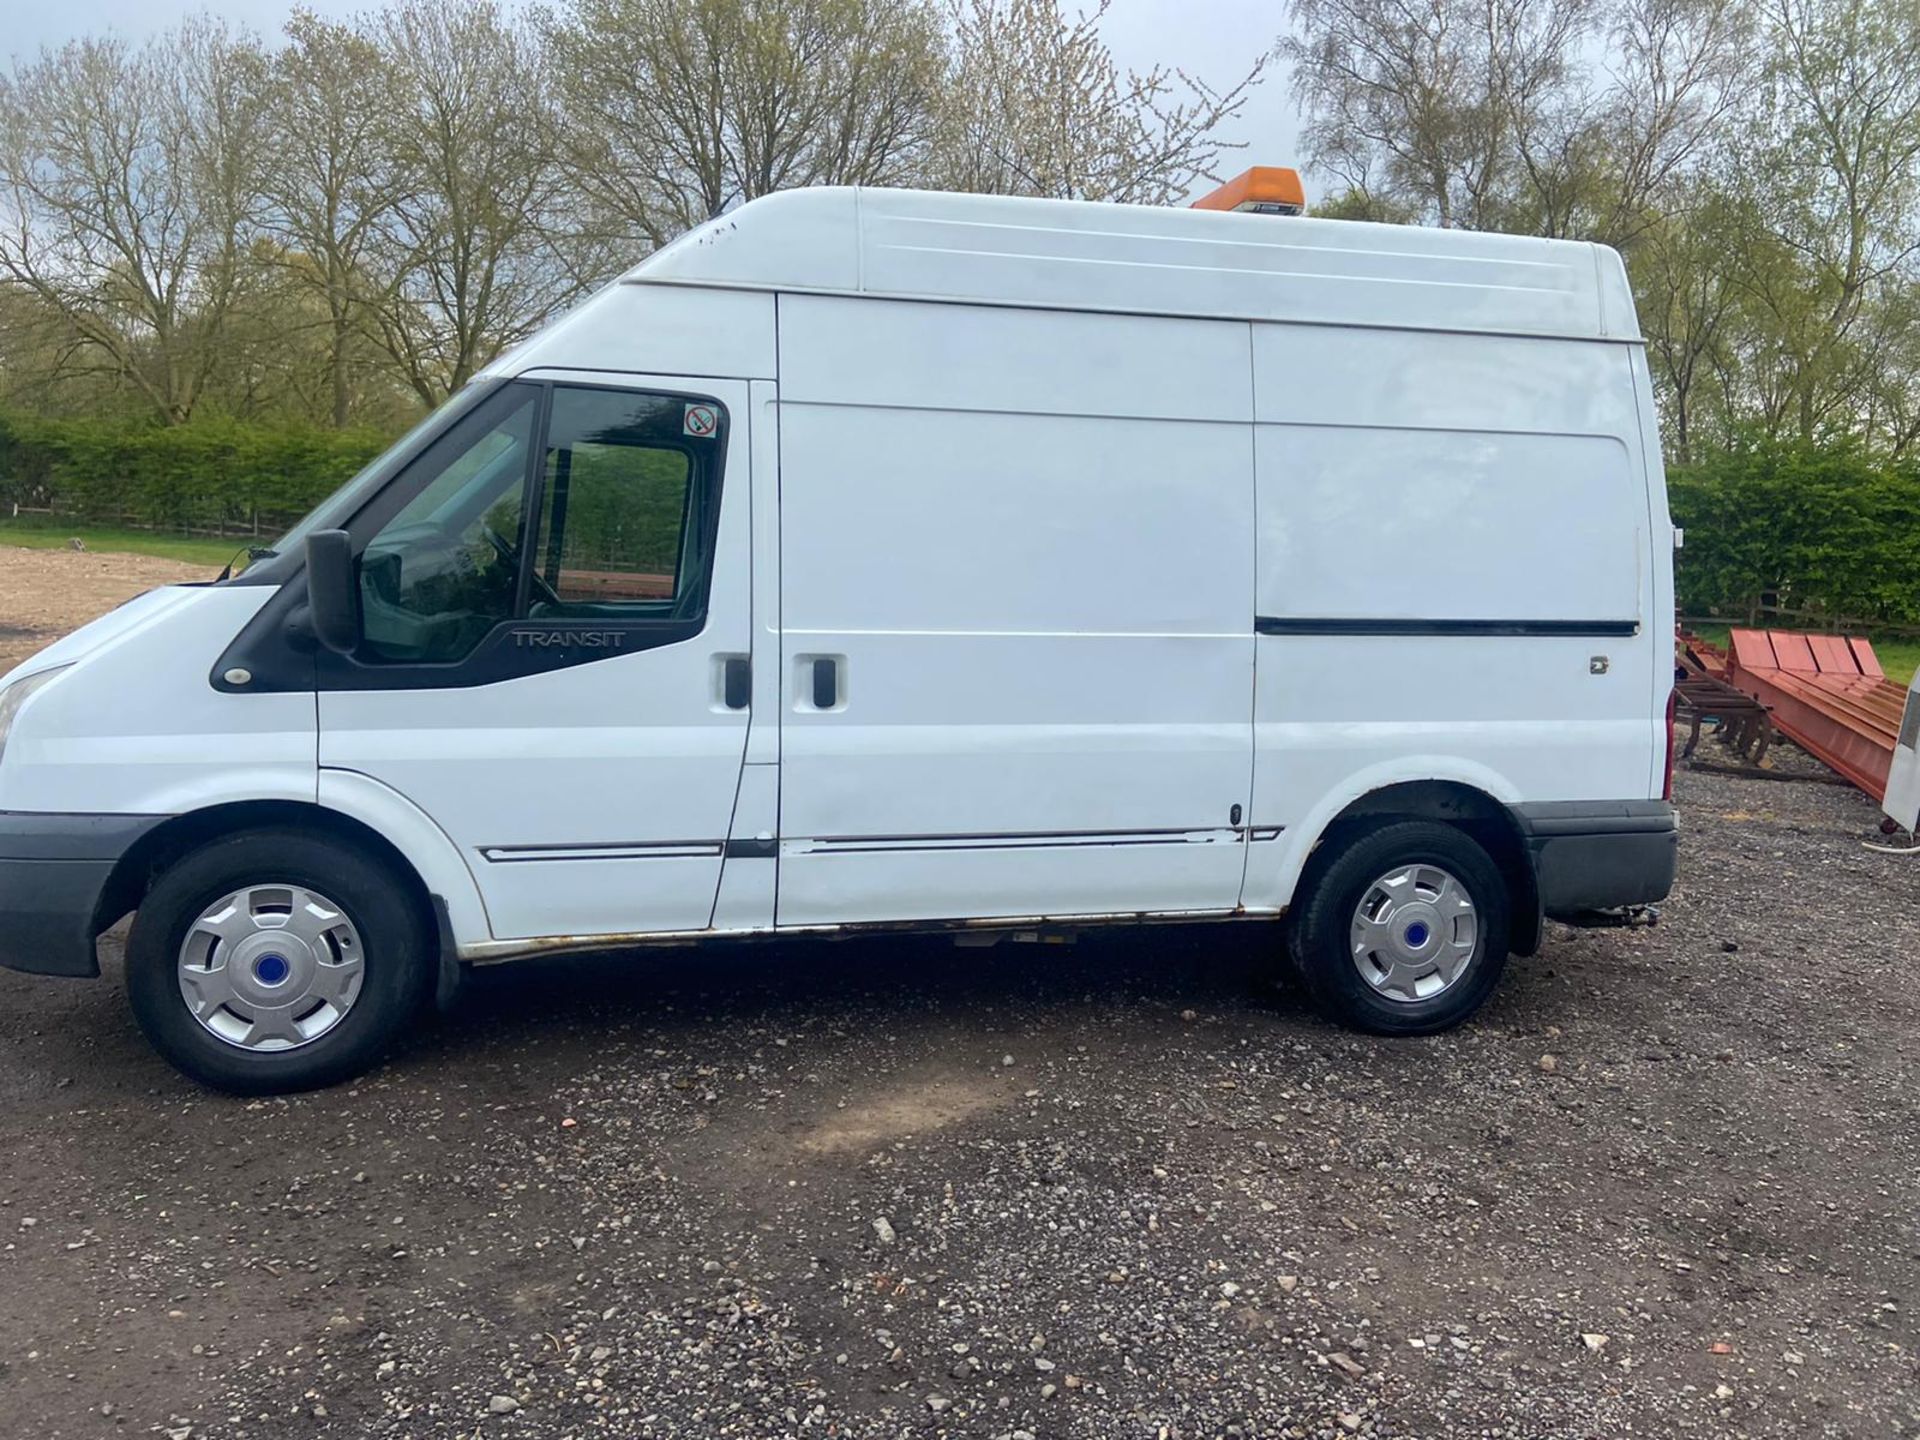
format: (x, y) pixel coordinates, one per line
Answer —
(892, 560)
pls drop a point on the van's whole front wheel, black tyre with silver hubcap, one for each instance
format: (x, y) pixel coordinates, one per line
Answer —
(277, 961)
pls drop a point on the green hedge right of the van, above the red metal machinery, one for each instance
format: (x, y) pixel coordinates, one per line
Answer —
(1823, 529)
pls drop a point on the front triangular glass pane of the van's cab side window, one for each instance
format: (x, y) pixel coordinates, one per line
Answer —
(444, 571)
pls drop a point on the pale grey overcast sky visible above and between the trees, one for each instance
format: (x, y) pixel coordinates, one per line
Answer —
(1214, 39)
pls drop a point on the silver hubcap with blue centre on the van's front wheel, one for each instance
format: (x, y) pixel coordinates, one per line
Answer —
(272, 967)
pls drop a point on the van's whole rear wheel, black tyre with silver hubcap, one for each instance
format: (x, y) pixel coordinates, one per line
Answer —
(1401, 930)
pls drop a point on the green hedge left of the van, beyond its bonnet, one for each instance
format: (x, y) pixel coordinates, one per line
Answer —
(214, 477)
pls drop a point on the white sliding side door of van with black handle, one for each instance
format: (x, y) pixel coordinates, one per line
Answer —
(1022, 544)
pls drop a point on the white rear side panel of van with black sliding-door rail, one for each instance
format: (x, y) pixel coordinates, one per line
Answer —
(1454, 577)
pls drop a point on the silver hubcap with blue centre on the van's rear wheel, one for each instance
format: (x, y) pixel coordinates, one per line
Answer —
(1414, 934)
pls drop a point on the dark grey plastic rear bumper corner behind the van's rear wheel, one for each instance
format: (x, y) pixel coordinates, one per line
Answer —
(1600, 855)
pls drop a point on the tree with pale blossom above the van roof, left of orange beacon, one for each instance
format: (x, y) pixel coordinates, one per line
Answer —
(1036, 105)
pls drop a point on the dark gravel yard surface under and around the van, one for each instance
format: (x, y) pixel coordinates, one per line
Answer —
(1664, 1186)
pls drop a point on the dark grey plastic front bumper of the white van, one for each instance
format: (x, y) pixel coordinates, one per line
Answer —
(53, 875)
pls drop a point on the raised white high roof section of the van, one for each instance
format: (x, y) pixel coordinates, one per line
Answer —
(1147, 260)
